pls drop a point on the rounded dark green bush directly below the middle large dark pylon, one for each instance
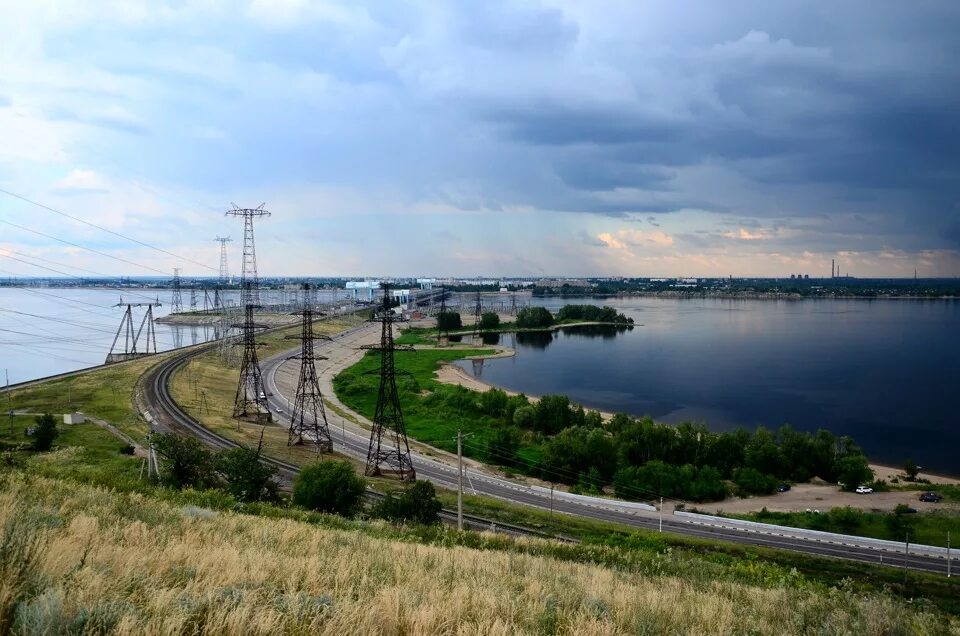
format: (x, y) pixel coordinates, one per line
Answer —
(330, 486)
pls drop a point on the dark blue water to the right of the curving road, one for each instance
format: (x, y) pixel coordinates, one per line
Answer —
(886, 372)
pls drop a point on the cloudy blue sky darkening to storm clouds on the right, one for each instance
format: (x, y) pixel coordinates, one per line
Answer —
(582, 138)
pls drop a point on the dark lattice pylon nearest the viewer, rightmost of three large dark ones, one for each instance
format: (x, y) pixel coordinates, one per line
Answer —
(389, 450)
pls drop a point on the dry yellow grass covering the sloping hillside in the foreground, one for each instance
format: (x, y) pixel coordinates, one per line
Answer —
(133, 565)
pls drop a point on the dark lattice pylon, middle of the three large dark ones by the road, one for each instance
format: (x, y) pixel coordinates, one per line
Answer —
(308, 422)
